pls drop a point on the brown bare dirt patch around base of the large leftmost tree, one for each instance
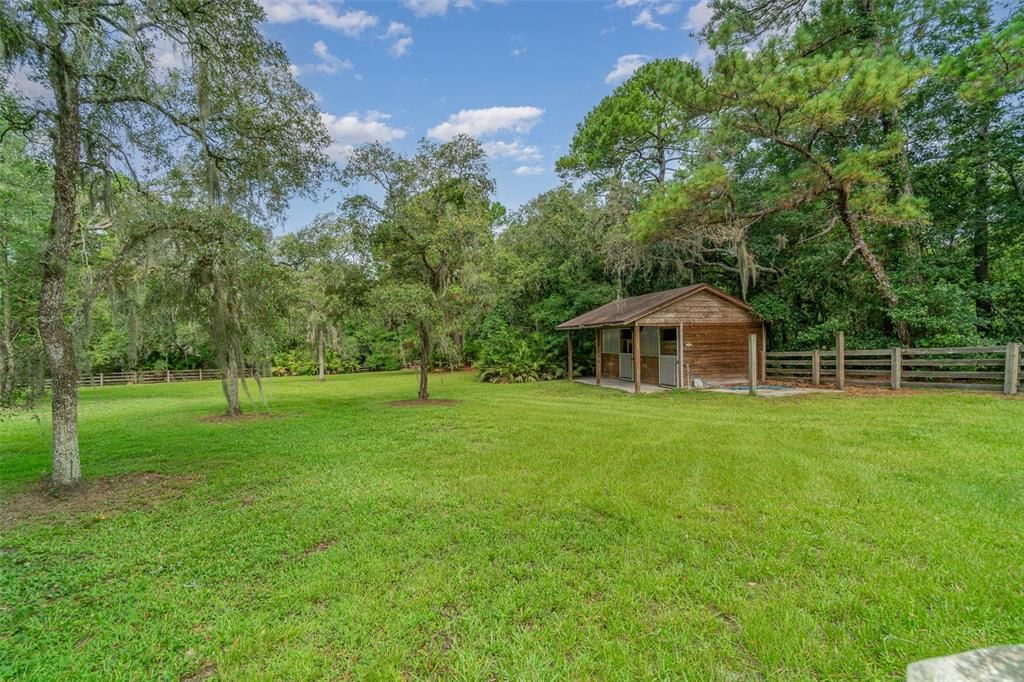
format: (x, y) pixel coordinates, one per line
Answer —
(103, 497)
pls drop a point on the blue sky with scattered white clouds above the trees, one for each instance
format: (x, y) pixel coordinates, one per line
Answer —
(518, 75)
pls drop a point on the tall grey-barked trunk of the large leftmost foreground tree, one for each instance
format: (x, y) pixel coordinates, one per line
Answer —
(53, 330)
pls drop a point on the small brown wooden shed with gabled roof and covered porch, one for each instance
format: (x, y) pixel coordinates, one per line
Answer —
(692, 336)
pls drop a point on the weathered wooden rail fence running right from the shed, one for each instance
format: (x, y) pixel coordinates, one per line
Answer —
(970, 368)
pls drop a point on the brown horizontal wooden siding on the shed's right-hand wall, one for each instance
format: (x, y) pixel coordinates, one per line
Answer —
(718, 353)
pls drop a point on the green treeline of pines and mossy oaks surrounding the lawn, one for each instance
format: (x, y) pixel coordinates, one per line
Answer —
(842, 166)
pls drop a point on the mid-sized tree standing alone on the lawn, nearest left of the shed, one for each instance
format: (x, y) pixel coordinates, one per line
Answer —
(432, 236)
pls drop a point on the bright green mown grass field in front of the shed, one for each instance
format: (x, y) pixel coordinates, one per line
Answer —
(528, 532)
